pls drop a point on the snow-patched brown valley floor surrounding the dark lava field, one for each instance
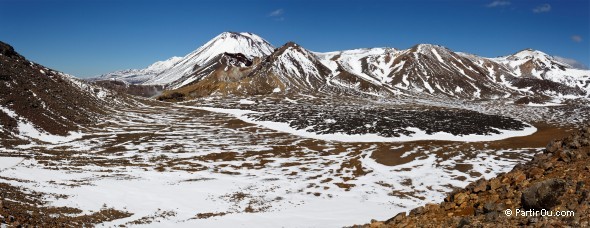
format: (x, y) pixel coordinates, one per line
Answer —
(180, 165)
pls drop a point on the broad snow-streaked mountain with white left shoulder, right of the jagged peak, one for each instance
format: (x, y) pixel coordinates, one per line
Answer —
(423, 69)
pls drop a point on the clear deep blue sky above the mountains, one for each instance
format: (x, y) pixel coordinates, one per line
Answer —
(91, 37)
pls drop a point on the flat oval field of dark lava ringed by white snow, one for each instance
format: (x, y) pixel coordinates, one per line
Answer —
(389, 122)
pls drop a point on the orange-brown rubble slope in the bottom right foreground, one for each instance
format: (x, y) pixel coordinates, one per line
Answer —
(531, 195)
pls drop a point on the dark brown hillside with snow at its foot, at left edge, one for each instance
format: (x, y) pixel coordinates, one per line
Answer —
(36, 102)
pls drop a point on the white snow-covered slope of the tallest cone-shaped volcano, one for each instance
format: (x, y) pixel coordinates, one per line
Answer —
(247, 44)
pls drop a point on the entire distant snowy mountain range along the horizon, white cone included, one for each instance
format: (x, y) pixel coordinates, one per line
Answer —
(244, 63)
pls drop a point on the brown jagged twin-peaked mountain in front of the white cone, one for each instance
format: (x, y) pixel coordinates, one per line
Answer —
(291, 68)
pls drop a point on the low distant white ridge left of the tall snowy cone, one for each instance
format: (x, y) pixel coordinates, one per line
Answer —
(139, 76)
